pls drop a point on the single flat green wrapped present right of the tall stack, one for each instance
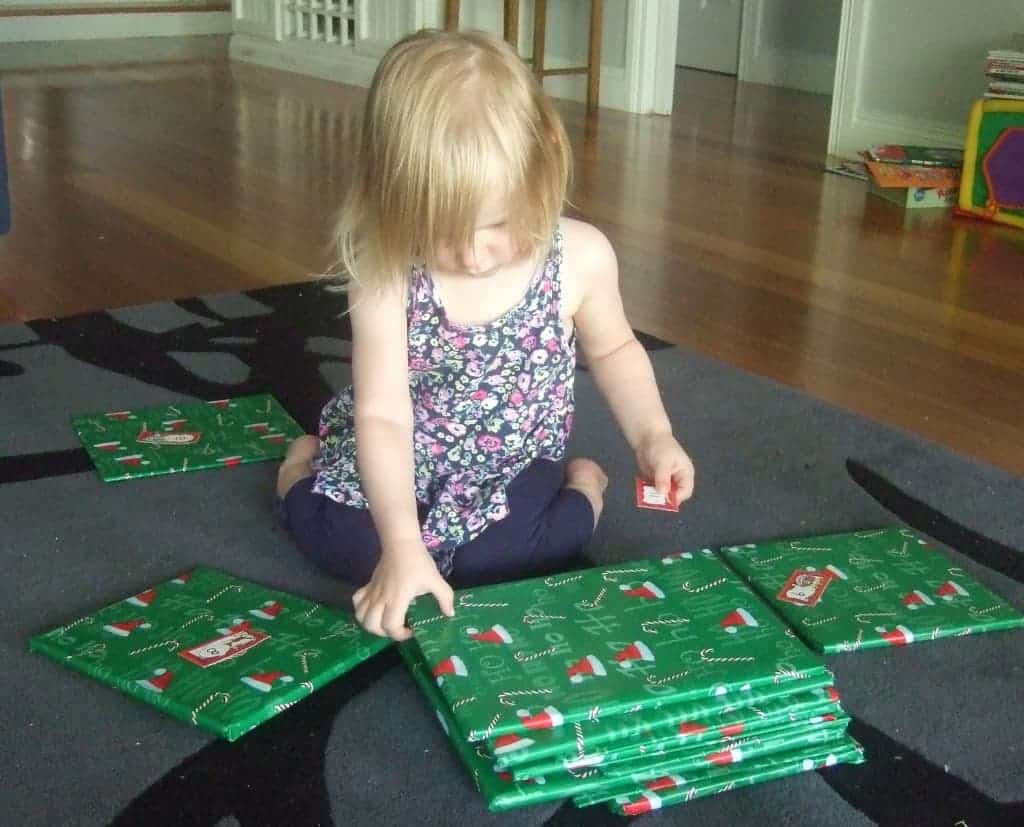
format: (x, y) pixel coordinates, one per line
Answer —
(870, 589)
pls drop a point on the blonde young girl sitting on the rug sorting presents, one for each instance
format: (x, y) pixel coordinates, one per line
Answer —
(468, 294)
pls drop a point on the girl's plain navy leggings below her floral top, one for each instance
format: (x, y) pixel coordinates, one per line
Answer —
(545, 531)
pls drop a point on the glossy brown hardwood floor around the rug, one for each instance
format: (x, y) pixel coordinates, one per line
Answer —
(158, 181)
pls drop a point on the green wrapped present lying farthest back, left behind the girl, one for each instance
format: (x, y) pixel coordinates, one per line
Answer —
(194, 437)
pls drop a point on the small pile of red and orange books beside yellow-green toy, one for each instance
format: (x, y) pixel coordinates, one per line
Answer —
(915, 177)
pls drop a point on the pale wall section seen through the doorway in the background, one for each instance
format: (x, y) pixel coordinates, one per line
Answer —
(791, 43)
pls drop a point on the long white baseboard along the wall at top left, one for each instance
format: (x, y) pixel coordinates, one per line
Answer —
(93, 27)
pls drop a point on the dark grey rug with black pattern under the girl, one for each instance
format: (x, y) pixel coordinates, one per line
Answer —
(942, 722)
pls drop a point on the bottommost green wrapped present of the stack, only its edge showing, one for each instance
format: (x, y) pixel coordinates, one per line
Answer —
(672, 790)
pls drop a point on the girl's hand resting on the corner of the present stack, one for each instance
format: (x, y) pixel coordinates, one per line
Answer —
(405, 572)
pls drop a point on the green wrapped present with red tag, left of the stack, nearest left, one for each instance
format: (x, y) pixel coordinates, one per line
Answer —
(214, 650)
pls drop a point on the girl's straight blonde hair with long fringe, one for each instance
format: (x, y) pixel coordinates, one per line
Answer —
(451, 118)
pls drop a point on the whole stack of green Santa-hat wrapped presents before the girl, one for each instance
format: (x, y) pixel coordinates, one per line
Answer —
(638, 686)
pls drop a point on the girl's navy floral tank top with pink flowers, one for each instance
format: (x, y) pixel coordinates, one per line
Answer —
(488, 401)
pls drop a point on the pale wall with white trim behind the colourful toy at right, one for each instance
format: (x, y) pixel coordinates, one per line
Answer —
(910, 70)
